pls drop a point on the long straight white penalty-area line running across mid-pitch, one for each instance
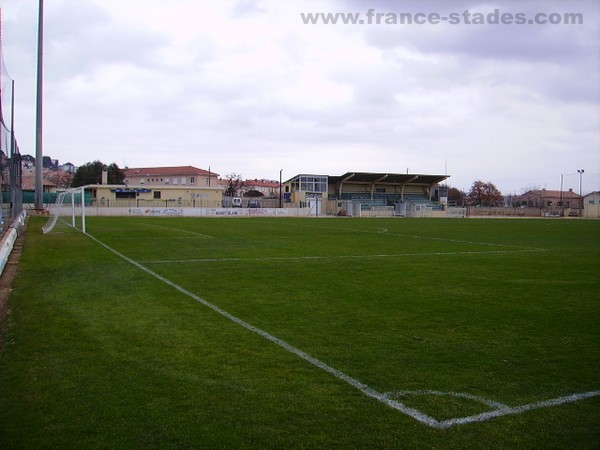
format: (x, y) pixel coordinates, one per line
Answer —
(291, 258)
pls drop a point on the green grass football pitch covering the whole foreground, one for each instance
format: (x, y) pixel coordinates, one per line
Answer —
(101, 354)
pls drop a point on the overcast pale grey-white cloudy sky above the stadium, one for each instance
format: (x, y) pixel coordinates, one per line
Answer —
(245, 86)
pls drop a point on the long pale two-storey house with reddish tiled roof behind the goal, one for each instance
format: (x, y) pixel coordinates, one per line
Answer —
(184, 176)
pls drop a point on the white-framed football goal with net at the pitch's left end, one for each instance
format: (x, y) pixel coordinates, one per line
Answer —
(68, 212)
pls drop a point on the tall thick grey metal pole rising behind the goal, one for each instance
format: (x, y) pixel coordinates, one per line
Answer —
(39, 180)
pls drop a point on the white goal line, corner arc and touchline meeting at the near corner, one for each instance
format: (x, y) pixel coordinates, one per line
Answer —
(364, 388)
